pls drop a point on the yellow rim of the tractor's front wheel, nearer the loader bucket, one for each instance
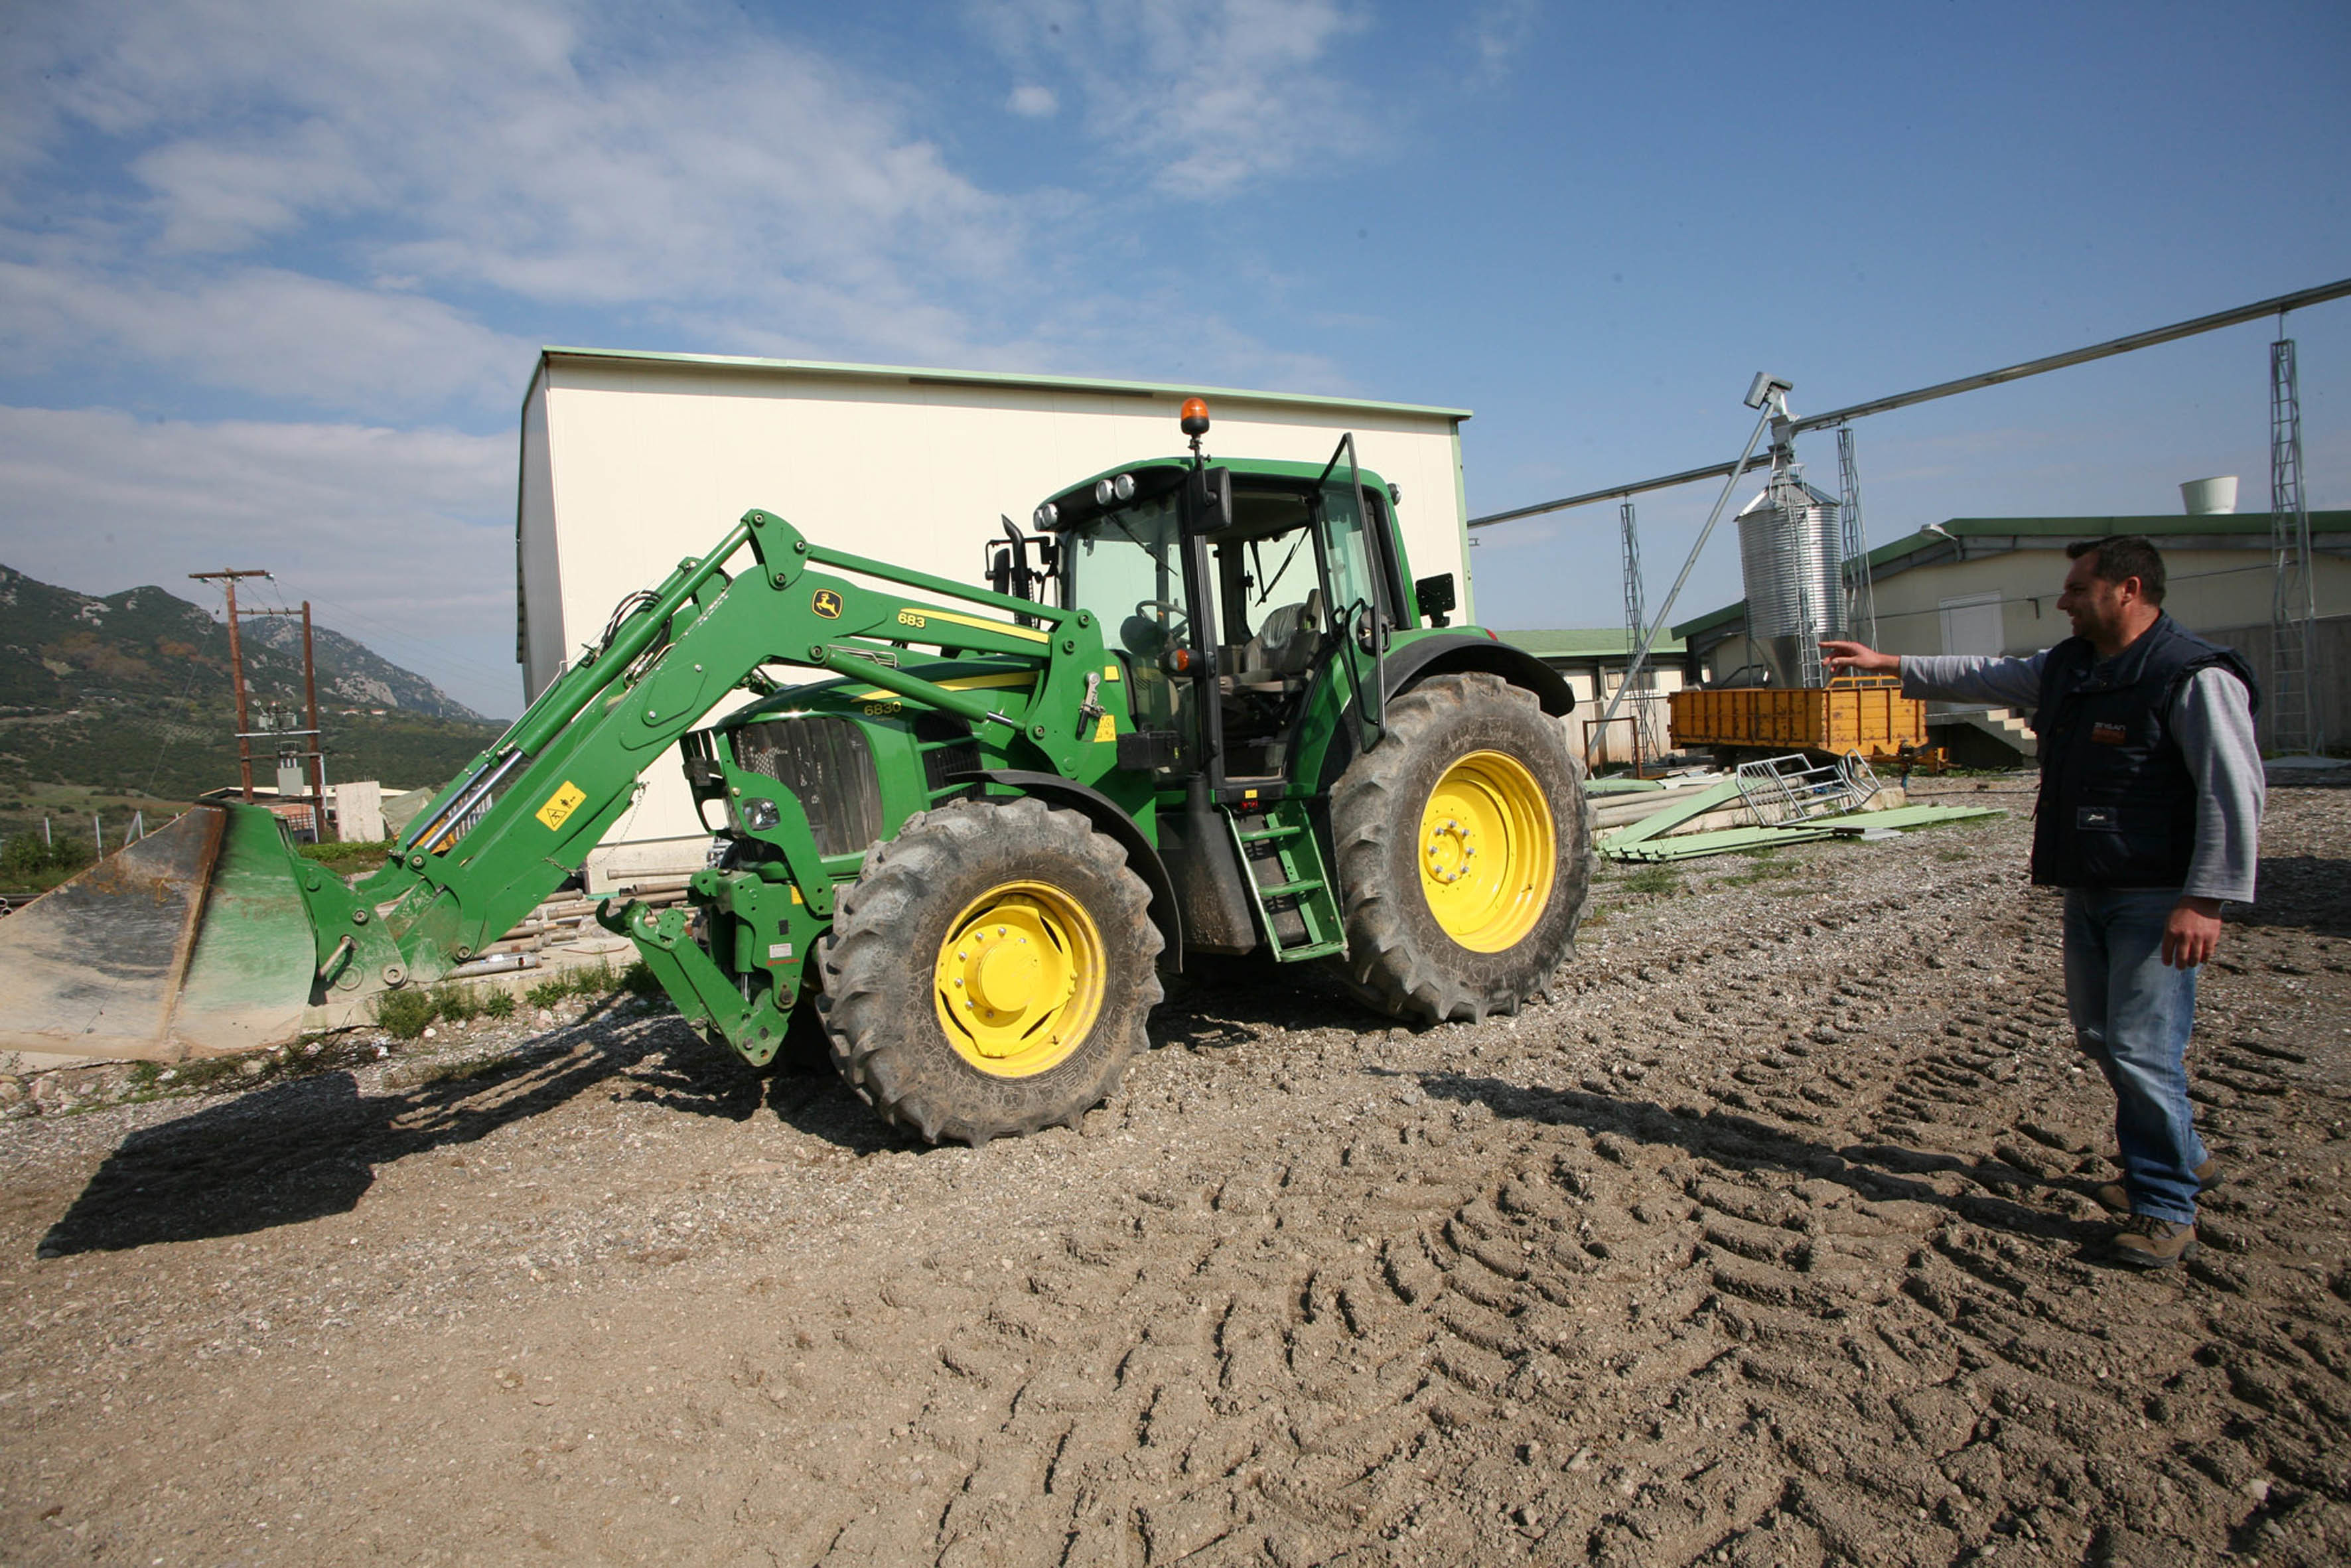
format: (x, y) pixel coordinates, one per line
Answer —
(1019, 981)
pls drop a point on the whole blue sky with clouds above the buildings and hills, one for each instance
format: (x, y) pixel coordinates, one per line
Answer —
(274, 274)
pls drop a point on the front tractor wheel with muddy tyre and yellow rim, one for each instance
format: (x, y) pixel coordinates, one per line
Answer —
(991, 972)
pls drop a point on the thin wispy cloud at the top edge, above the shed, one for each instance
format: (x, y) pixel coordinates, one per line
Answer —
(1212, 95)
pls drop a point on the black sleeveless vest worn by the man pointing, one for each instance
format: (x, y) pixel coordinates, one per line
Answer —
(2117, 798)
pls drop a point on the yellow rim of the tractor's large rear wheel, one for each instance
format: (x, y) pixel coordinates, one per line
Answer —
(1487, 852)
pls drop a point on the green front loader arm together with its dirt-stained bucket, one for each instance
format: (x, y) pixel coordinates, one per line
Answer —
(194, 942)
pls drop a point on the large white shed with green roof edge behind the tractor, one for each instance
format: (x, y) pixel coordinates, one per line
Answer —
(638, 460)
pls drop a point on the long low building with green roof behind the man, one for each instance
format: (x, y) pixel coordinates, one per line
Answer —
(1990, 587)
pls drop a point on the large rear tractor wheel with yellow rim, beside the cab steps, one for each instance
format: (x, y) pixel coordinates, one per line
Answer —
(1463, 852)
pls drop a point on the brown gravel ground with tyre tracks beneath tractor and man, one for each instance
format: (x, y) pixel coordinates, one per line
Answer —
(1762, 1242)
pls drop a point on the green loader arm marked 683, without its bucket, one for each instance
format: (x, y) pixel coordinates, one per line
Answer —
(525, 812)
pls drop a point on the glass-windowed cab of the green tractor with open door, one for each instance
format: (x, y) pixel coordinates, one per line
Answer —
(1226, 594)
